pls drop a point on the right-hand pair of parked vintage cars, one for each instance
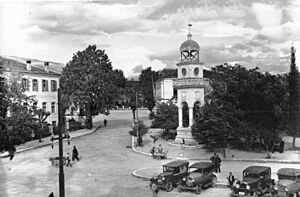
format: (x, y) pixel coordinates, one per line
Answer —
(257, 182)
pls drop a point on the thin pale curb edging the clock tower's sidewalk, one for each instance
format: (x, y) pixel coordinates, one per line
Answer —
(224, 159)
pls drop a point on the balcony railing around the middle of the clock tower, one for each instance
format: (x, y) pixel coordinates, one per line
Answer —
(190, 82)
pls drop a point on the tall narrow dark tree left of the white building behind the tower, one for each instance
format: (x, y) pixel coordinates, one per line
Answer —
(147, 79)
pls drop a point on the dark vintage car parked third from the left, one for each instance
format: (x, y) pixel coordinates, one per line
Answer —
(256, 182)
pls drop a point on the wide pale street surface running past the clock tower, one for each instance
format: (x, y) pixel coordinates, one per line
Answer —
(105, 169)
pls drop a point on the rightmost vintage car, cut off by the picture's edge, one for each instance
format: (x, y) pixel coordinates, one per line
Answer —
(288, 184)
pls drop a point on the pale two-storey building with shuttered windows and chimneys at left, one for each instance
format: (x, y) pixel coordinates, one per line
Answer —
(41, 84)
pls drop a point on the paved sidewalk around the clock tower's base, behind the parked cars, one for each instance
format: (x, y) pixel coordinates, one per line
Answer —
(200, 153)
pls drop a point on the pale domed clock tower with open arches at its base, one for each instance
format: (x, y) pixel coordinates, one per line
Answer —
(190, 86)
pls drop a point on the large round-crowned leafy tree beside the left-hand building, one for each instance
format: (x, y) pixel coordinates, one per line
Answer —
(89, 81)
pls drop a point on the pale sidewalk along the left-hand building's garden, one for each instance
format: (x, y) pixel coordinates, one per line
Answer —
(47, 140)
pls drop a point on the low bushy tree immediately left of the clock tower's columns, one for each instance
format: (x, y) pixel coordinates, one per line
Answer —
(166, 117)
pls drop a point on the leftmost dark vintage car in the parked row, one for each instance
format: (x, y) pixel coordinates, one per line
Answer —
(172, 173)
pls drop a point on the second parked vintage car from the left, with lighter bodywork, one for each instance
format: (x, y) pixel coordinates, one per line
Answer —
(200, 176)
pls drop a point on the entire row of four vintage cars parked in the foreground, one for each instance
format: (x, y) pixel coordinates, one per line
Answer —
(256, 180)
